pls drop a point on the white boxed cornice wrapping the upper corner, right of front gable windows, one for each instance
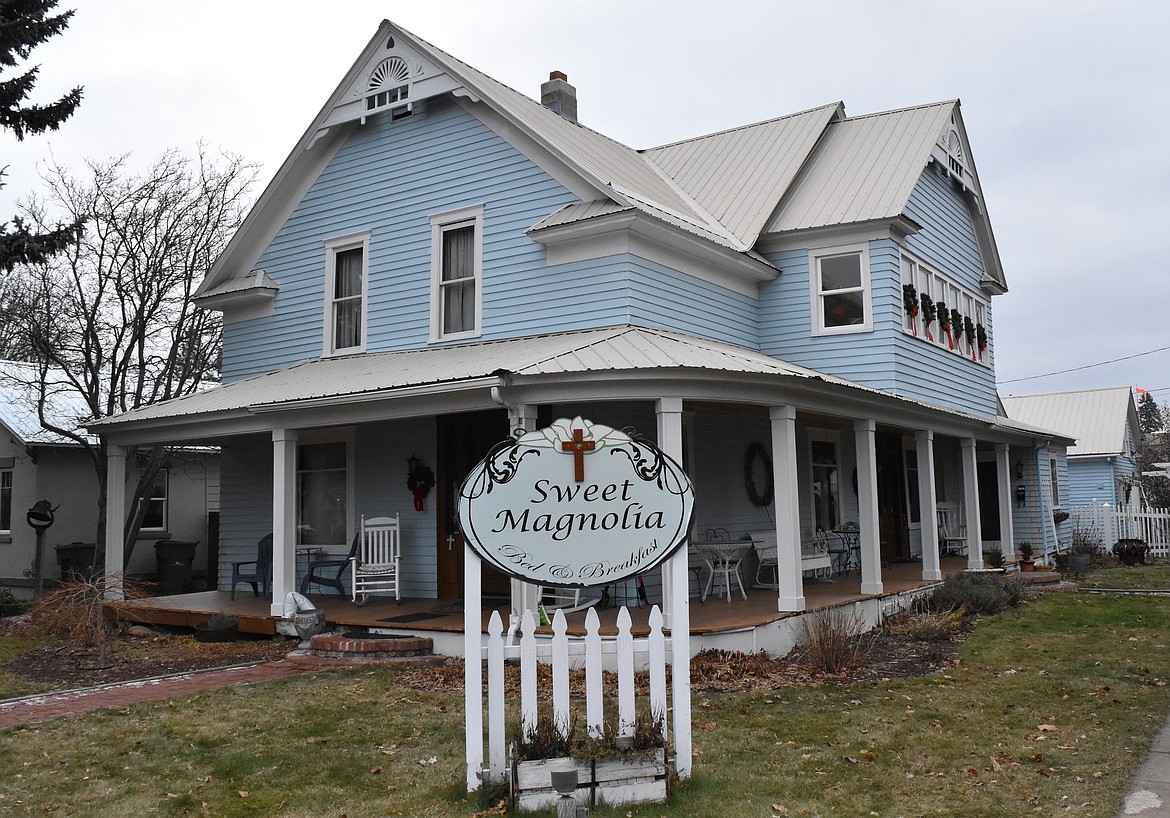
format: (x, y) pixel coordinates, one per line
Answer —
(639, 235)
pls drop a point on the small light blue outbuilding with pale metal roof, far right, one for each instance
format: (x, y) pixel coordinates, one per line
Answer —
(1104, 422)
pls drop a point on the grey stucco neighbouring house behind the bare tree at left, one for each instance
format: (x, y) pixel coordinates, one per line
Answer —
(40, 465)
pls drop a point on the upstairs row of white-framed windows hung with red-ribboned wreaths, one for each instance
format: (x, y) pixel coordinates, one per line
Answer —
(942, 313)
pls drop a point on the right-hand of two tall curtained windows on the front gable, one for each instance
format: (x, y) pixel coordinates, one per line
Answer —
(457, 274)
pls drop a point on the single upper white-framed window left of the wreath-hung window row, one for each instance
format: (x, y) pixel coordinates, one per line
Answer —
(841, 291)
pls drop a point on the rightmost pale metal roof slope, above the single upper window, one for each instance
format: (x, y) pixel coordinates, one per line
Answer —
(864, 170)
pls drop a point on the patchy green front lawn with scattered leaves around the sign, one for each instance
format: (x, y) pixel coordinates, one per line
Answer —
(1049, 713)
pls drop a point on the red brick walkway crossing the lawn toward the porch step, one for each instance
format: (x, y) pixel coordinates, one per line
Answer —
(40, 709)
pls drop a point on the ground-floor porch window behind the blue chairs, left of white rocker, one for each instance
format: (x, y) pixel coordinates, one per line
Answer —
(324, 492)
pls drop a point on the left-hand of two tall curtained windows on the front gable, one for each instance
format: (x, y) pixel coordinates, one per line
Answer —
(347, 285)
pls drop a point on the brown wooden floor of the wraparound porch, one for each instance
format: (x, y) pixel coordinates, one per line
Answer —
(446, 616)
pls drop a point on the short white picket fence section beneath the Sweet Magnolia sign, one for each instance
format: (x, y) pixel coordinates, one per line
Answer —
(562, 652)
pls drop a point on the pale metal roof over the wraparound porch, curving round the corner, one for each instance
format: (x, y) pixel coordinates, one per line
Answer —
(609, 349)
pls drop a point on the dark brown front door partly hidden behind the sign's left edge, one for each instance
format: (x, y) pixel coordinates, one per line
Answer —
(464, 441)
